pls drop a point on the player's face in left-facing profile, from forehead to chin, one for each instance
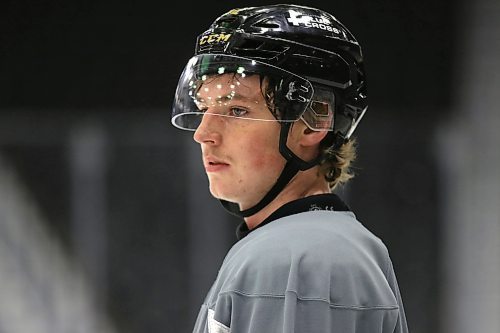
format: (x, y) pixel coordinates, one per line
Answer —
(240, 154)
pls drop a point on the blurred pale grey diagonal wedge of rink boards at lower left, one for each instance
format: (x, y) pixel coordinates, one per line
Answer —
(42, 289)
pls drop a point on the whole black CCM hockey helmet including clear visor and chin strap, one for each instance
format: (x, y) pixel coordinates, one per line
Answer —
(314, 61)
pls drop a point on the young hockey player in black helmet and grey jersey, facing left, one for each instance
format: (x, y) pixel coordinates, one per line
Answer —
(273, 94)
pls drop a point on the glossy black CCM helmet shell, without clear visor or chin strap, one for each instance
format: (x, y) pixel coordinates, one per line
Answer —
(307, 42)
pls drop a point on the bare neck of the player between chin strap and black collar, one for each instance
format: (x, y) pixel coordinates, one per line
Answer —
(304, 184)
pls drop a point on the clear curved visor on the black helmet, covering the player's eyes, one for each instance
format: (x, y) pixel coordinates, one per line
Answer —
(237, 89)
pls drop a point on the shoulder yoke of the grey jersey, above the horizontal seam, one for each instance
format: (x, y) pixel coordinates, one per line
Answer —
(320, 255)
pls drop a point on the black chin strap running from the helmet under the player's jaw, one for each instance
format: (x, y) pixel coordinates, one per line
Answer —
(292, 167)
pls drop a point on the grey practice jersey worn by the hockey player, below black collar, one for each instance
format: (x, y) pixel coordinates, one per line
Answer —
(317, 271)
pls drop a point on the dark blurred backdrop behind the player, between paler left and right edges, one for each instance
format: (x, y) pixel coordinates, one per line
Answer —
(112, 67)
